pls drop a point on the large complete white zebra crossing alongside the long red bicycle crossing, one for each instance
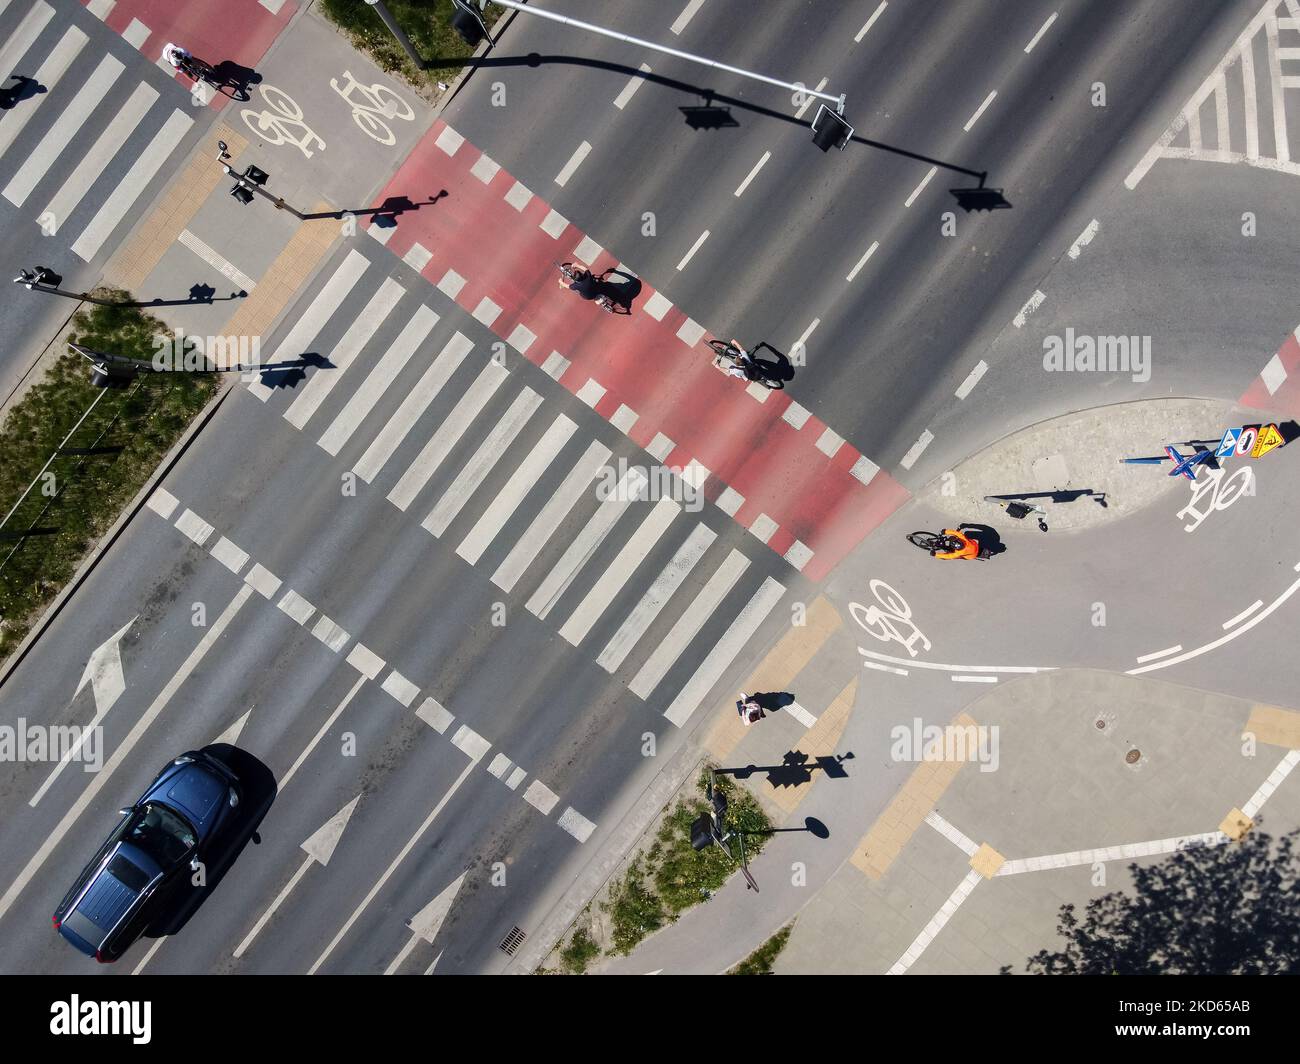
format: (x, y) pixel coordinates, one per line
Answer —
(430, 418)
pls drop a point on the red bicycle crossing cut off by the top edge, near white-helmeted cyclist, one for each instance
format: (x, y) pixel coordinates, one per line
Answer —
(239, 32)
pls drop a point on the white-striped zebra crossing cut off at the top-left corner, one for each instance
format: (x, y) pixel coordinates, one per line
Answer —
(81, 196)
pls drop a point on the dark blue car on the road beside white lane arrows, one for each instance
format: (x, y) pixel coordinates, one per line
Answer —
(167, 832)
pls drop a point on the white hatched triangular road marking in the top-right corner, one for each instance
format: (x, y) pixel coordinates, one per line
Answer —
(1241, 113)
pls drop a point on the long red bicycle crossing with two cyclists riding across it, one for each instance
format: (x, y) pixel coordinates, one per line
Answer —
(779, 470)
